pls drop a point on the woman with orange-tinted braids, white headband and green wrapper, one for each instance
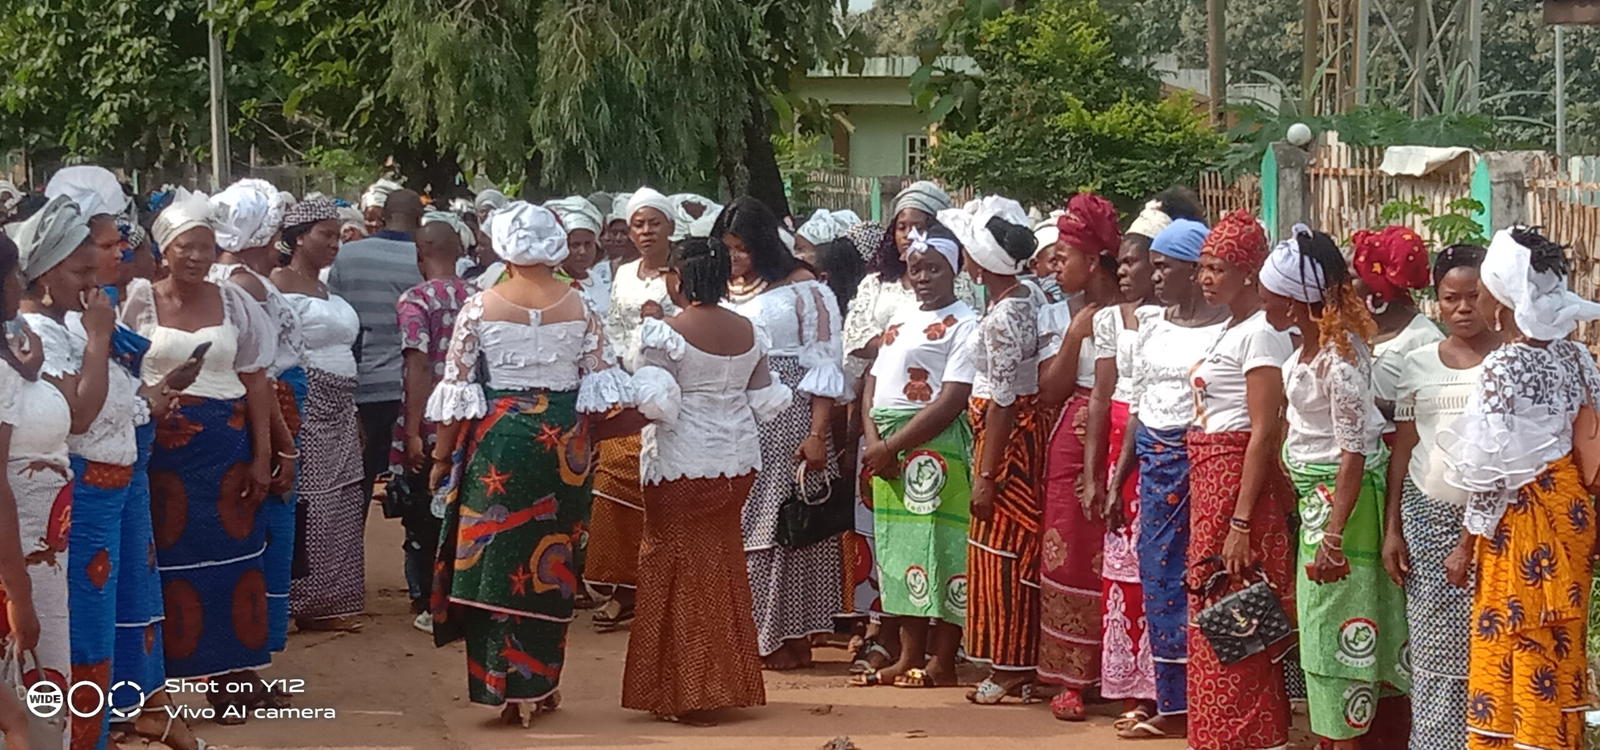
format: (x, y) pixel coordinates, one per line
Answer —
(1351, 615)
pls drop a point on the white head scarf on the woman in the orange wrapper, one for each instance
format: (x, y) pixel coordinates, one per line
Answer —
(1540, 300)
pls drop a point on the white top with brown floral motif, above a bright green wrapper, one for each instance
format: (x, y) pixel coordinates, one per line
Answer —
(921, 353)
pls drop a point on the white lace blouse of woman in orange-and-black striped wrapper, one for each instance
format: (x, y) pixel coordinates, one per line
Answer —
(1007, 349)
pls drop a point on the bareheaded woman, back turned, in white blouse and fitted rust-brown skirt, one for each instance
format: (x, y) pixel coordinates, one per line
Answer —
(705, 385)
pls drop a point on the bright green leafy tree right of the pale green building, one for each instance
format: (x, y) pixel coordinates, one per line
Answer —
(1060, 108)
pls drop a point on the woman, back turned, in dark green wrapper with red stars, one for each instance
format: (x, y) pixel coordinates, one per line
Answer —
(529, 364)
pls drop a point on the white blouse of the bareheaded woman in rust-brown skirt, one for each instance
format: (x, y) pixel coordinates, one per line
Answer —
(703, 407)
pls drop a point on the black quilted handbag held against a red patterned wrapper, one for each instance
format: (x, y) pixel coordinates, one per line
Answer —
(1241, 624)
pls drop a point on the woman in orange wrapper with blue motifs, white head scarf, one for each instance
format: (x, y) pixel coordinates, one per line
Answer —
(1530, 525)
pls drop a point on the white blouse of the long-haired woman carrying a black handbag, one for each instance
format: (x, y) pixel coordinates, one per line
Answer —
(802, 322)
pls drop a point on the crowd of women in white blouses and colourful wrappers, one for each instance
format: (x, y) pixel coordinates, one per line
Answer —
(1170, 465)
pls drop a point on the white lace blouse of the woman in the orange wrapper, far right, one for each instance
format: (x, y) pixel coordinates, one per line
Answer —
(1519, 421)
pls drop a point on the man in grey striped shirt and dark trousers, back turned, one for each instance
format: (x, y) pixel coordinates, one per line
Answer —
(370, 276)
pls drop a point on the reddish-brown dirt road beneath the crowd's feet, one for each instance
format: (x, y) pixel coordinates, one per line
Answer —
(391, 688)
